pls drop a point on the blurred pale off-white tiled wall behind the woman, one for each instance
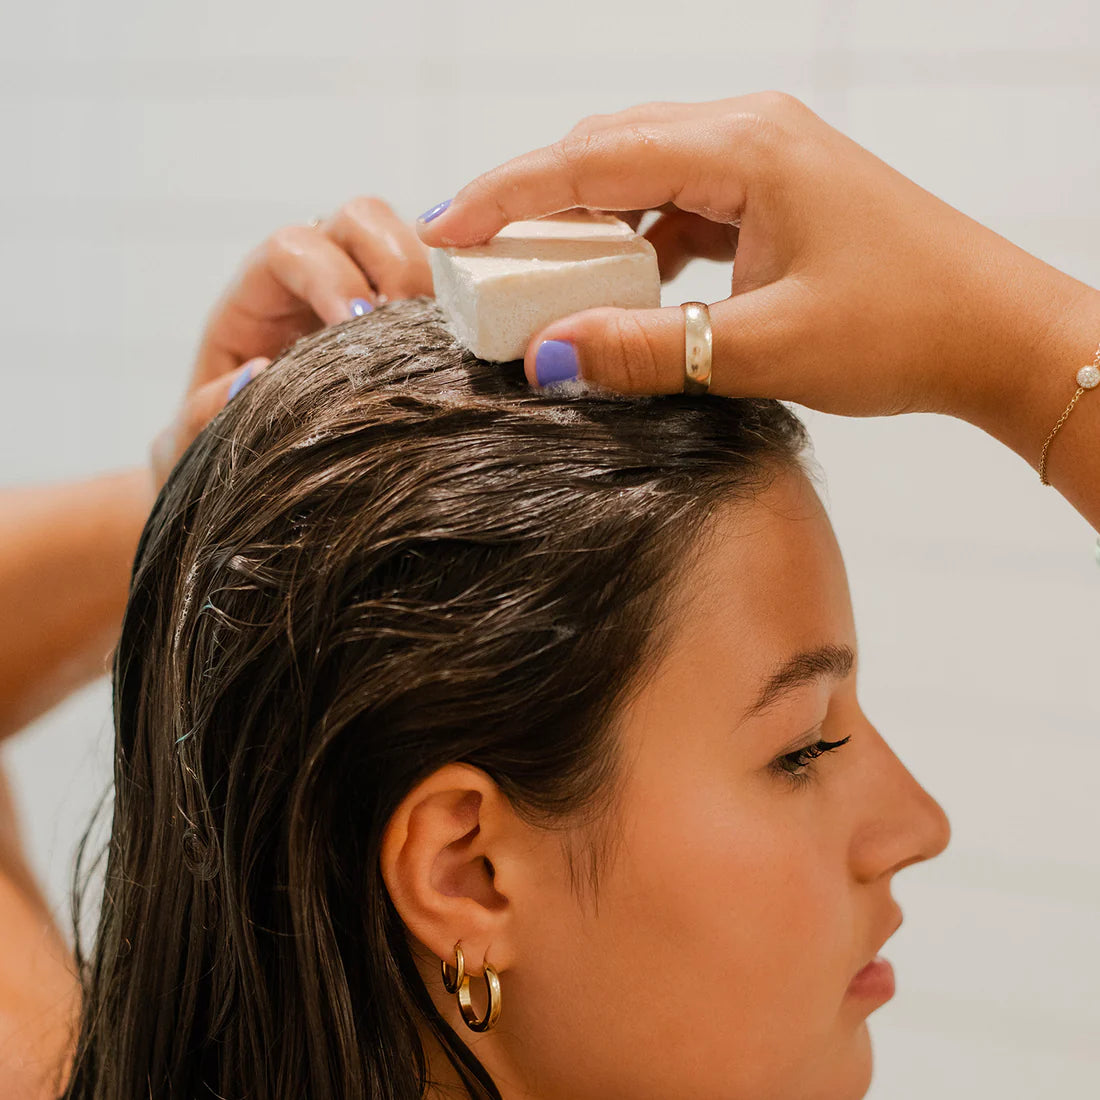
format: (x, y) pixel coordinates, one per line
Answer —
(148, 148)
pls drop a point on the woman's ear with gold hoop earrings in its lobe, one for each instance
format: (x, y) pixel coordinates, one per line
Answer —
(446, 859)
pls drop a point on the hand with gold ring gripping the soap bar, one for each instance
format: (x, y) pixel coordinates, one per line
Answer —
(854, 292)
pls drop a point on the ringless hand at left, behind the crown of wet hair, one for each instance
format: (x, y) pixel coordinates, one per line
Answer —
(300, 280)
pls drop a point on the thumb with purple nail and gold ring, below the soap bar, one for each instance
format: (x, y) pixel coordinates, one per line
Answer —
(642, 351)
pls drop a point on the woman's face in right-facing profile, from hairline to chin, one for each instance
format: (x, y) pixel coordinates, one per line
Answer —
(744, 892)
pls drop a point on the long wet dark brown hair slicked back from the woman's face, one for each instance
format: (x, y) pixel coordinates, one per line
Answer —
(384, 557)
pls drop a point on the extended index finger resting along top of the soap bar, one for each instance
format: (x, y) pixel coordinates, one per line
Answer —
(701, 167)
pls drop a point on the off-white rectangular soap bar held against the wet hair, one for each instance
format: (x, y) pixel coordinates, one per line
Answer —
(497, 296)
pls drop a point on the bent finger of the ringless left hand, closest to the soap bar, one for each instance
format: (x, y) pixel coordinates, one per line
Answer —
(386, 248)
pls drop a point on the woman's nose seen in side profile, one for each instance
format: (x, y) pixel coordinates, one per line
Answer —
(900, 822)
